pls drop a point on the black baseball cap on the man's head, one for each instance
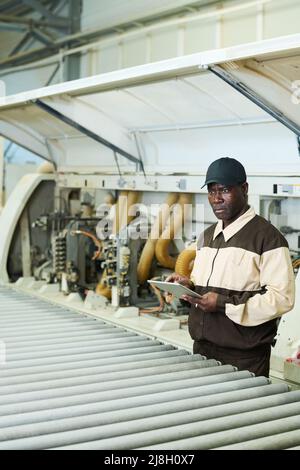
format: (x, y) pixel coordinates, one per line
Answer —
(227, 171)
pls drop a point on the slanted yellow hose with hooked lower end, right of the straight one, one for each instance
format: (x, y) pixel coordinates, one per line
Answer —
(175, 223)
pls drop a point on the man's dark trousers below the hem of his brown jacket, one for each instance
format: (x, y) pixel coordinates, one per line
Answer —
(256, 361)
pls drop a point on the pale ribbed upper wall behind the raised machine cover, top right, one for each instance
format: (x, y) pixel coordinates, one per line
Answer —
(234, 22)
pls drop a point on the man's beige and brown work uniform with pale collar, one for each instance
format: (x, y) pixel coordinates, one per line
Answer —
(249, 266)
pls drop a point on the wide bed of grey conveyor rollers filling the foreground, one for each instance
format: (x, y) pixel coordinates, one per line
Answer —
(97, 386)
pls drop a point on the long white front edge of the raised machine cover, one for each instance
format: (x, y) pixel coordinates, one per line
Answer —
(166, 69)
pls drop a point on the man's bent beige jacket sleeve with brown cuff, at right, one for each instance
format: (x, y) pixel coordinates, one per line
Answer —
(277, 297)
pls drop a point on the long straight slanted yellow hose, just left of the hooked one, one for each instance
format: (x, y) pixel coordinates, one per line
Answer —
(148, 252)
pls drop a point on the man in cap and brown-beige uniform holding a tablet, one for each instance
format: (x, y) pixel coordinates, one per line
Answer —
(244, 273)
